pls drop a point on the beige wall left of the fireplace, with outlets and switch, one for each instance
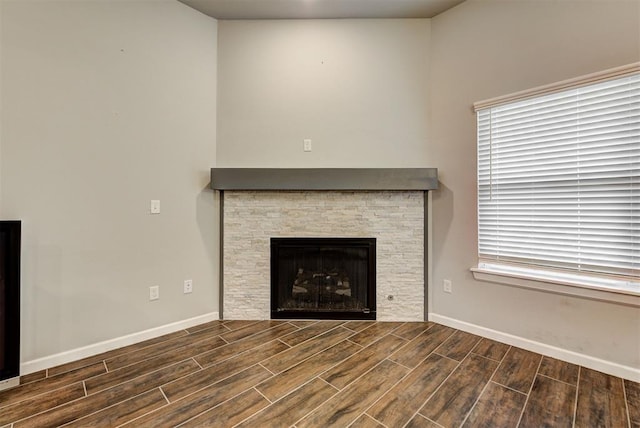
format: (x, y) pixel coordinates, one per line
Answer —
(105, 106)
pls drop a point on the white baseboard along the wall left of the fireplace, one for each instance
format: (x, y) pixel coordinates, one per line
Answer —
(108, 345)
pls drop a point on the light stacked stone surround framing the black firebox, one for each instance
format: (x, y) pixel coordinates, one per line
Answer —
(394, 218)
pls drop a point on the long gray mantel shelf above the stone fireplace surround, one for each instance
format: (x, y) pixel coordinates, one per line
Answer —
(399, 179)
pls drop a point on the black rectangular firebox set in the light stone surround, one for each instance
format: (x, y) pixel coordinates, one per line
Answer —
(323, 278)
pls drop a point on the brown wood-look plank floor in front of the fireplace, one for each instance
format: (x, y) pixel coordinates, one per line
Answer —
(320, 374)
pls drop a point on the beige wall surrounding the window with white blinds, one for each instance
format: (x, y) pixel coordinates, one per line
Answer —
(483, 49)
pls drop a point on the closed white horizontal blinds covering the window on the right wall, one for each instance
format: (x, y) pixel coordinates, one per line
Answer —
(559, 179)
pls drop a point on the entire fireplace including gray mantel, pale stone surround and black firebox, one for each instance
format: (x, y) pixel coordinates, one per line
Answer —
(274, 206)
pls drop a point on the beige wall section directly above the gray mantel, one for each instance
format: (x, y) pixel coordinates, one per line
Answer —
(357, 88)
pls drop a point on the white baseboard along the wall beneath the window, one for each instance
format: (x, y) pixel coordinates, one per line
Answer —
(594, 363)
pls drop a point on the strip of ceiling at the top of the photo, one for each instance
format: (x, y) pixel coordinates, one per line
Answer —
(320, 9)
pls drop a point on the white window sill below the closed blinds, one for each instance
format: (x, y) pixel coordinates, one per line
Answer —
(627, 293)
